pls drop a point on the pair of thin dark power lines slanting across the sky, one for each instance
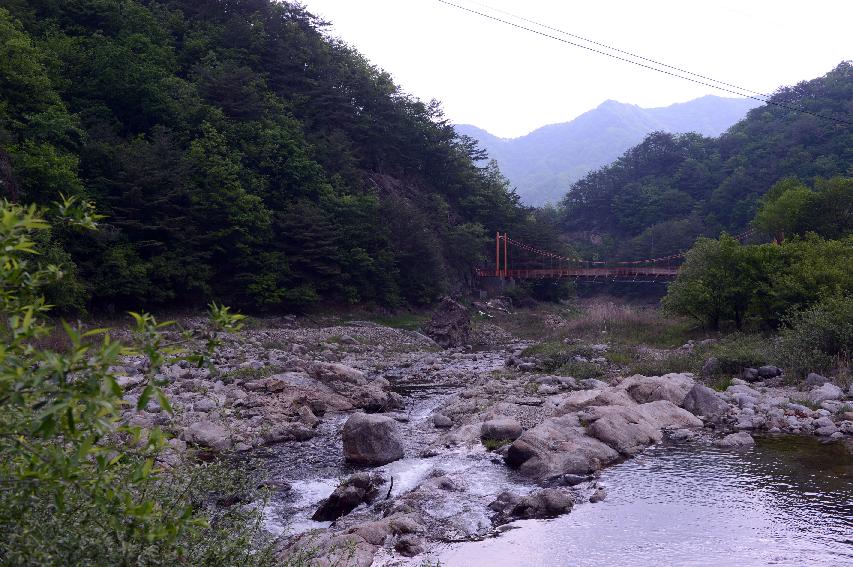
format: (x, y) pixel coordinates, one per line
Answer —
(739, 92)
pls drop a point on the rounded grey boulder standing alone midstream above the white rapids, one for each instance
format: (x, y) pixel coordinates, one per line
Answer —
(371, 440)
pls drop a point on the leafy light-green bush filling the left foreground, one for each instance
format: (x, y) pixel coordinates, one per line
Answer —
(77, 485)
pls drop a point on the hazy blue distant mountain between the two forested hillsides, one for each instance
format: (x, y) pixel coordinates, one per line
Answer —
(543, 164)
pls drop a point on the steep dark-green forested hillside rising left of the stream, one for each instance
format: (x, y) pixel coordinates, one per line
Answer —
(237, 153)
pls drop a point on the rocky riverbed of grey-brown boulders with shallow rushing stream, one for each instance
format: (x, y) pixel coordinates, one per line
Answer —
(383, 442)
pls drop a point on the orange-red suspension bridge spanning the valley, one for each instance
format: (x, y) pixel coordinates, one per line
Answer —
(517, 260)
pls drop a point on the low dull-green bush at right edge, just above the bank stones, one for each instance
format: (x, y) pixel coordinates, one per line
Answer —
(819, 338)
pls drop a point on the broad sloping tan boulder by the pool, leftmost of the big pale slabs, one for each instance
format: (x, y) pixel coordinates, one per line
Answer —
(558, 446)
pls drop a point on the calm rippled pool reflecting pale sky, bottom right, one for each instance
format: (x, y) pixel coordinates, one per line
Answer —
(786, 501)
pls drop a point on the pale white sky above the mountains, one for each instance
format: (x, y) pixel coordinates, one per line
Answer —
(510, 82)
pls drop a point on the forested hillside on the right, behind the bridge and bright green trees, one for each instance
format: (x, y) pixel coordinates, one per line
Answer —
(663, 193)
